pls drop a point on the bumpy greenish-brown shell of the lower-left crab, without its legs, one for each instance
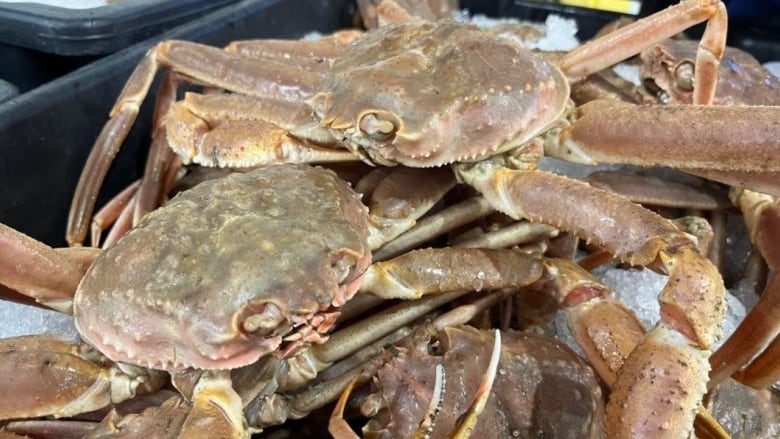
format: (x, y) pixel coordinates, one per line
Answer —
(227, 271)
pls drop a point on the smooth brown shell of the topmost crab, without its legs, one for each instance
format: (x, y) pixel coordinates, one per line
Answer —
(452, 92)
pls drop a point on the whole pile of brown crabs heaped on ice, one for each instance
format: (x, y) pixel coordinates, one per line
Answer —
(352, 230)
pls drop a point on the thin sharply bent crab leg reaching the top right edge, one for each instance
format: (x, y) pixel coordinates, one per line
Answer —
(630, 40)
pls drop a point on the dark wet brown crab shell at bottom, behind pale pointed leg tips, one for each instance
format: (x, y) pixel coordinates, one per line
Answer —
(542, 388)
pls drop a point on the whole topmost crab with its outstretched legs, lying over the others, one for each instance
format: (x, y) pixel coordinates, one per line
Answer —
(412, 94)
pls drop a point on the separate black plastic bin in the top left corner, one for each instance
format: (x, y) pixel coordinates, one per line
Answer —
(40, 42)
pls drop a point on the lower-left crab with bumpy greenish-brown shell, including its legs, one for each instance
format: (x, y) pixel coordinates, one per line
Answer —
(222, 287)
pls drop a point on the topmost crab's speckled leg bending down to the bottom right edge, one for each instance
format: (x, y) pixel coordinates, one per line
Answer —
(692, 303)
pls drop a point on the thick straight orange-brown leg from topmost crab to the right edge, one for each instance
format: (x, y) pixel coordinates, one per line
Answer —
(724, 138)
